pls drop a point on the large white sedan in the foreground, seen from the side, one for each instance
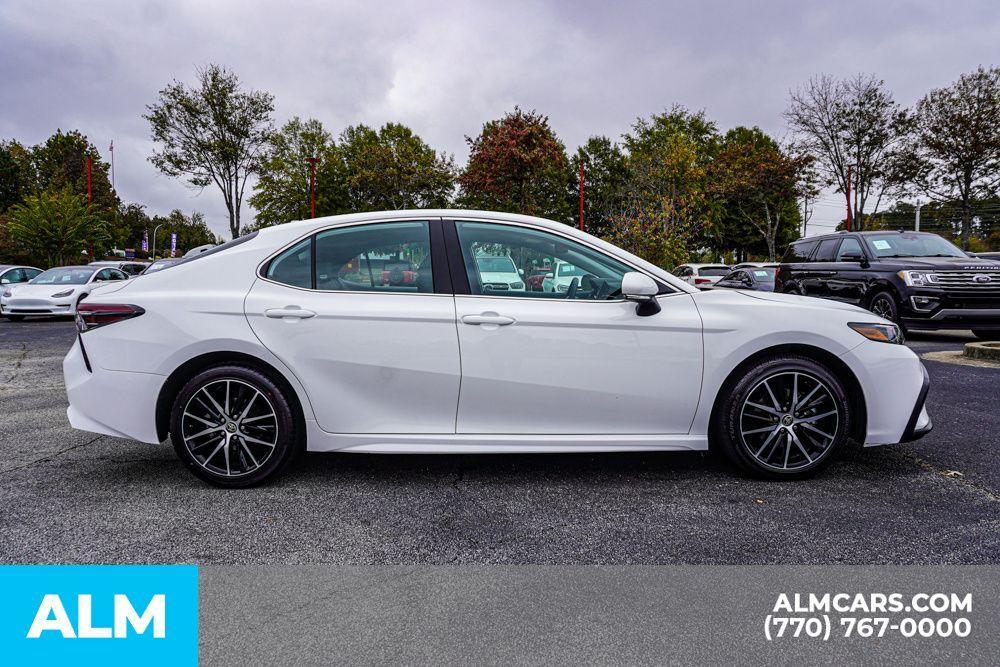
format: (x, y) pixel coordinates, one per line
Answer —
(283, 340)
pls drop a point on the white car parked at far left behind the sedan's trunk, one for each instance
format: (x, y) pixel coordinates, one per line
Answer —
(56, 291)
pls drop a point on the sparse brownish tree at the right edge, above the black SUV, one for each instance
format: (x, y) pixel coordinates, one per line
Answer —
(957, 142)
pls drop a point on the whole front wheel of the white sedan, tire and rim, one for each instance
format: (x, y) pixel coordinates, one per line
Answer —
(732, 416)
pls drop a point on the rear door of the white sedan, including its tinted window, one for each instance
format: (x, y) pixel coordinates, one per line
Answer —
(364, 317)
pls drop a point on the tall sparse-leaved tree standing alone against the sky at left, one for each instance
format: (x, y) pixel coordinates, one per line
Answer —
(212, 134)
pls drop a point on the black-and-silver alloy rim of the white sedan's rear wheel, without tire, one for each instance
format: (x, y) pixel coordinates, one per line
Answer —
(229, 427)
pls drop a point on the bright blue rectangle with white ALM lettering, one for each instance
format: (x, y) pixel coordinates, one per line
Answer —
(99, 614)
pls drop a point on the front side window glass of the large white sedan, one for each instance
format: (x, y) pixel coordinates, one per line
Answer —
(556, 267)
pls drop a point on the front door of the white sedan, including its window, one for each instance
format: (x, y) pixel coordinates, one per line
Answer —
(573, 359)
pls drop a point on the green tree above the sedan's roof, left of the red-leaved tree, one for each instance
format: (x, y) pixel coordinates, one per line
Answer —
(391, 169)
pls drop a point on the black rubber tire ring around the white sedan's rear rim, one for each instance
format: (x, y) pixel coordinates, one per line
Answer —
(287, 433)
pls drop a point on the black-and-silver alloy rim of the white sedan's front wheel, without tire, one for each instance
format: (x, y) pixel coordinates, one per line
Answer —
(789, 420)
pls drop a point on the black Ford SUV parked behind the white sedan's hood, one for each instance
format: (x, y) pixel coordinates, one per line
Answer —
(919, 280)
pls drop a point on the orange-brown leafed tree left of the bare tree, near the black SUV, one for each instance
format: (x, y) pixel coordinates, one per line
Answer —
(759, 183)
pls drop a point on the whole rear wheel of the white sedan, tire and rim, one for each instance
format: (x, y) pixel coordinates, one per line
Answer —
(234, 446)
